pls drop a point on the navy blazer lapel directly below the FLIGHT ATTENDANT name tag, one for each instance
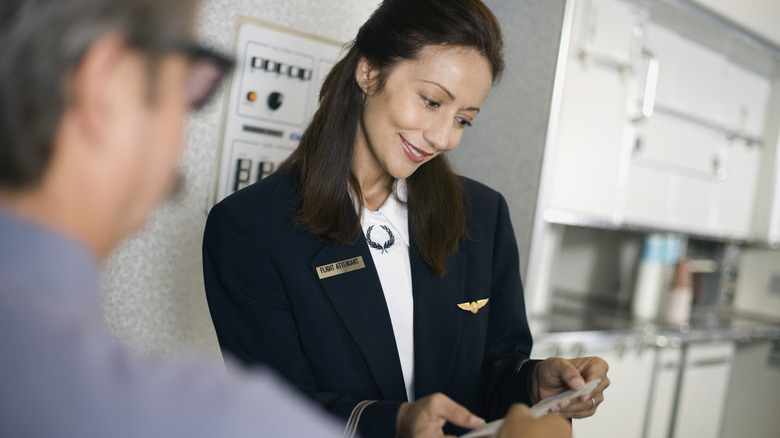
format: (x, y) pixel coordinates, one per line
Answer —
(360, 303)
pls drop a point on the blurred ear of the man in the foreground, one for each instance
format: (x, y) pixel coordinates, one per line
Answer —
(92, 85)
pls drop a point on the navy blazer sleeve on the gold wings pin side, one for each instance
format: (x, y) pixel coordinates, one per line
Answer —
(507, 369)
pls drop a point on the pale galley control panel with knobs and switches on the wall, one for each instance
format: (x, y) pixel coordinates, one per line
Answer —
(269, 99)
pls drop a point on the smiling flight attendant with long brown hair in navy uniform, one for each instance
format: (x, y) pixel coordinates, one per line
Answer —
(367, 272)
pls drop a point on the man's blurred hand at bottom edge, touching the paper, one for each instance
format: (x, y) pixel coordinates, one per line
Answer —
(519, 424)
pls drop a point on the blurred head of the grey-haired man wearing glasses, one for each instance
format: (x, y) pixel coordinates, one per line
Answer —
(92, 99)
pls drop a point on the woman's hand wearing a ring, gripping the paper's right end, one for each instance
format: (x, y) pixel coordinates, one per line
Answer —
(556, 375)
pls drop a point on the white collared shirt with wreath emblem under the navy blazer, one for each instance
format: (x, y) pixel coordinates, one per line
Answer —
(387, 233)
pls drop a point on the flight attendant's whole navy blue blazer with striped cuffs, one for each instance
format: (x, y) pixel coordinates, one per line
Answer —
(332, 338)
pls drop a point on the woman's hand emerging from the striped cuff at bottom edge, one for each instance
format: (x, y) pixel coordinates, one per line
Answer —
(426, 417)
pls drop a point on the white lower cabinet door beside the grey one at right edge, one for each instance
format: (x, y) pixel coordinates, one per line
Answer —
(703, 386)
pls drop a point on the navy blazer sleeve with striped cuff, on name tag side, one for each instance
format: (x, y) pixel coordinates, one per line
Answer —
(254, 320)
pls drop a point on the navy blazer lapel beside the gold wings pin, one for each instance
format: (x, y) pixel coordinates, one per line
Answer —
(437, 319)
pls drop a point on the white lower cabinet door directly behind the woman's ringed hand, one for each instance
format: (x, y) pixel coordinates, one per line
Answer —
(622, 413)
